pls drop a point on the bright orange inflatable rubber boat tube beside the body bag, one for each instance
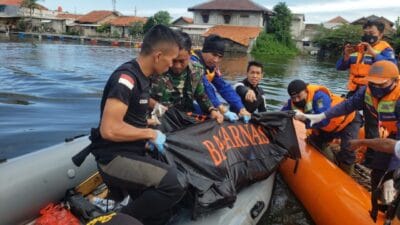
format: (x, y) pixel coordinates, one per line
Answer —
(329, 195)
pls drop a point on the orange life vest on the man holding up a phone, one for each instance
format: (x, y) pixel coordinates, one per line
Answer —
(360, 70)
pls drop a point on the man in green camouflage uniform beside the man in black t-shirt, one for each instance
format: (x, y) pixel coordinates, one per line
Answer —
(182, 84)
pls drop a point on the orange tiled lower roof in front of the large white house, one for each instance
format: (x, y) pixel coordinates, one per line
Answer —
(238, 34)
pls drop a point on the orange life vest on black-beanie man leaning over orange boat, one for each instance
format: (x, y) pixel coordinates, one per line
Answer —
(335, 124)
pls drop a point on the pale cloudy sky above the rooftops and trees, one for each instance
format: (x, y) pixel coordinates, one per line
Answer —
(316, 11)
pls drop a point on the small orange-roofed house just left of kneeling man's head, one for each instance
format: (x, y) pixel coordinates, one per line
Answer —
(120, 25)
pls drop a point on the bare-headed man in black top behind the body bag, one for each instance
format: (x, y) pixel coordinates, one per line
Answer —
(249, 91)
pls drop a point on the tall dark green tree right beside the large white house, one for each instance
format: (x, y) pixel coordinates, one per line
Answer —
(280, 23)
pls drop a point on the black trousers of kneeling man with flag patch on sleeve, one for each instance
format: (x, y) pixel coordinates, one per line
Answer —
(153, 186)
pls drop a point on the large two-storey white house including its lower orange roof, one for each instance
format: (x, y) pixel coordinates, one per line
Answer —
(238, 21)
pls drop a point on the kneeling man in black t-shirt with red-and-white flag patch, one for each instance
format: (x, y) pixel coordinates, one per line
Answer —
(119, 142)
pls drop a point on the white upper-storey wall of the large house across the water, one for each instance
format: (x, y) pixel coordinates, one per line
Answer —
(255, 19)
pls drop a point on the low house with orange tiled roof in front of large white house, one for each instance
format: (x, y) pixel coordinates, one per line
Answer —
(239, 38)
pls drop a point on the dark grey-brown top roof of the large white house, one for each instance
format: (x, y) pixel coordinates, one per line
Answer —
(232, 5)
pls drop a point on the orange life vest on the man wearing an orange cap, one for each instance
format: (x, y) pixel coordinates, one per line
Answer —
(384, 110)
